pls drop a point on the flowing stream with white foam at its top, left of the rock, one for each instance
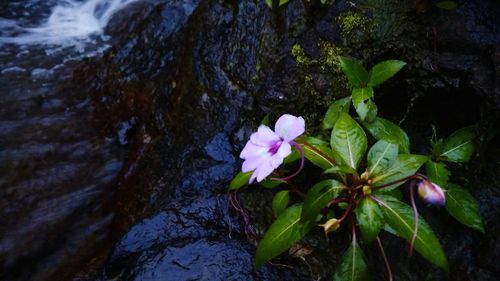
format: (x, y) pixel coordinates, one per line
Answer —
(56, 169)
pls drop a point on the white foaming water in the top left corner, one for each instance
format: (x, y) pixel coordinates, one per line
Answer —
(71, 23)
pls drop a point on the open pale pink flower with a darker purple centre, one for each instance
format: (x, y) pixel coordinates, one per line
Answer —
(266, 148)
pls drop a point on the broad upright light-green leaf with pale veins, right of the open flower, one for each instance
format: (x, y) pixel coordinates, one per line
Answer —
(348, 140)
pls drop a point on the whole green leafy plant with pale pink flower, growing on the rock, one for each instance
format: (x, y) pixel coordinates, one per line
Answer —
(361, 179)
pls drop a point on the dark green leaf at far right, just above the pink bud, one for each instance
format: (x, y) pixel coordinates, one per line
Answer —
(459, 146)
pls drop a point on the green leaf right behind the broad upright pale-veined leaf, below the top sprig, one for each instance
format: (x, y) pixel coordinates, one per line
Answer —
(382, 129)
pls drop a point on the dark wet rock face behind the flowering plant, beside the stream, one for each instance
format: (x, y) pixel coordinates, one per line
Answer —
(194, 78)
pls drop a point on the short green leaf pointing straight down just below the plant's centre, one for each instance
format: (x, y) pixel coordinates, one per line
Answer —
(370, 219)
